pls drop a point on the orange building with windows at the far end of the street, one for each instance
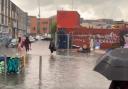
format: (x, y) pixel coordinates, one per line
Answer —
(38, 26)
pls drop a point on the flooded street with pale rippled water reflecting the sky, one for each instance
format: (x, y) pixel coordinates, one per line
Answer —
(62, 70)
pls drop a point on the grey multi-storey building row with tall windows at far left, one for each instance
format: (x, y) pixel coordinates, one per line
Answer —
(12, 20)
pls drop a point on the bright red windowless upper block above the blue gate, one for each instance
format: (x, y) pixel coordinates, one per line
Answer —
(68, 19)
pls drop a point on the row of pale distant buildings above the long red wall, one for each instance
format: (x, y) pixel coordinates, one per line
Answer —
(104, 24)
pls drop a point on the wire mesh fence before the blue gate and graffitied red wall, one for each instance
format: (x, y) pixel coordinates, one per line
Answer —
(104, 41)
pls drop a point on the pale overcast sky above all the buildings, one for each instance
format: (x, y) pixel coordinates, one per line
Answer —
(88, 9)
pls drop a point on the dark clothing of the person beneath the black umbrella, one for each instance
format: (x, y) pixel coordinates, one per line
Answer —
(119, 85)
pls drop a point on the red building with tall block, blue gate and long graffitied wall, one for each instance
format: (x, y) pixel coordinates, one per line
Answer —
(71, 33)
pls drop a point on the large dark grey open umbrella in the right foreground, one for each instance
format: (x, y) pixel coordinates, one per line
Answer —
(114, 65)
